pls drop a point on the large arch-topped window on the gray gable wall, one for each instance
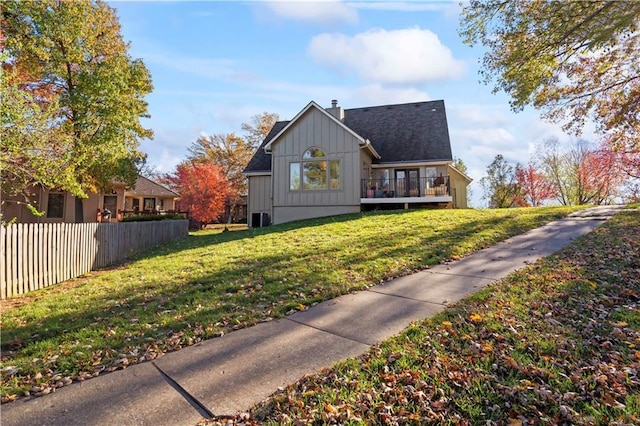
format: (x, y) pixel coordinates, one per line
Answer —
(316, 173)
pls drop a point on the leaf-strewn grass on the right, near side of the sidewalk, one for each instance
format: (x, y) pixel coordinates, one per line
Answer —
(555, 343)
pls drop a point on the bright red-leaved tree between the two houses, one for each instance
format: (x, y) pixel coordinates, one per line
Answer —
(202, 188)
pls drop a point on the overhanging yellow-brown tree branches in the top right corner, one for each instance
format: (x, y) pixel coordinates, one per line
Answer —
(576, 60)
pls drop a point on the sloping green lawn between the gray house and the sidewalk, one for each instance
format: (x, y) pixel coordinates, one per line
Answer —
(214, 282)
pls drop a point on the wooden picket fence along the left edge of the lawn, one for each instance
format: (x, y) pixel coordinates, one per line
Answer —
(37, 255)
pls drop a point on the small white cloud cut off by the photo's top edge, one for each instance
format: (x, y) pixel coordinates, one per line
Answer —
(320, 12)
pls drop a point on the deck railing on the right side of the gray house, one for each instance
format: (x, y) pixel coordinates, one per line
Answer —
(425, 187)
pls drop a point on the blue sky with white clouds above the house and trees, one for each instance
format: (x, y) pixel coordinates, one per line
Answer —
(215, 64)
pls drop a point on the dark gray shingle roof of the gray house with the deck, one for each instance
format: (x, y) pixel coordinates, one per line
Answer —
(403, 132)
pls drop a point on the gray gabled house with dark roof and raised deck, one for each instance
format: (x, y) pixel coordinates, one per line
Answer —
(332, 161)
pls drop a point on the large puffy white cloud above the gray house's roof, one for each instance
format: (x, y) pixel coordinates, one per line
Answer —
(411, 55)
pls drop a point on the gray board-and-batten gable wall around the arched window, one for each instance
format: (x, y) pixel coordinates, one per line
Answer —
(315, 129)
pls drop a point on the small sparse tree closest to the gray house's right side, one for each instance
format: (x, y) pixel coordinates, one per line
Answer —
(499, 184)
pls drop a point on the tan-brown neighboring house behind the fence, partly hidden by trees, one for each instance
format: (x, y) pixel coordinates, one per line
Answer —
(62, 206)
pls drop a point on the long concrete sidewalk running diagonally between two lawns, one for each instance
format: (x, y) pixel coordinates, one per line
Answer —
(231, 374)
